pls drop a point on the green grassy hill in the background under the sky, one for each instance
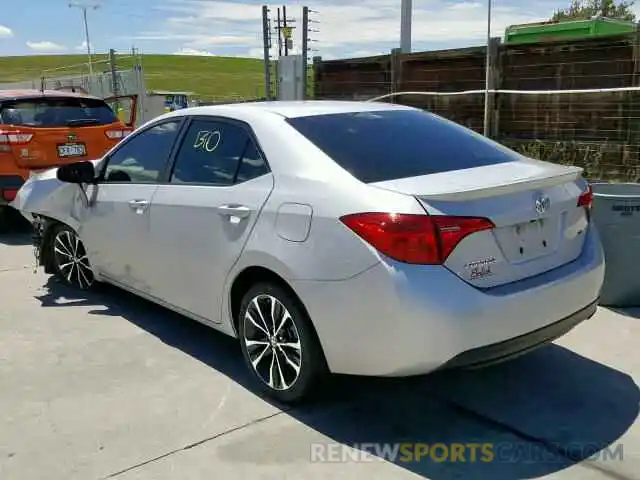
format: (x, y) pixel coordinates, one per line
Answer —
(210, 78)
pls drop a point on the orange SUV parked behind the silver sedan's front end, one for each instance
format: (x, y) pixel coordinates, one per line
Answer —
(46, 129)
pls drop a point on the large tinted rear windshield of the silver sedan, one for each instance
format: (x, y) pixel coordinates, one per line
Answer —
(386, 145)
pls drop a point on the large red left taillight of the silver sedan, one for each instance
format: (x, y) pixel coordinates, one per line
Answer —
(417, 239)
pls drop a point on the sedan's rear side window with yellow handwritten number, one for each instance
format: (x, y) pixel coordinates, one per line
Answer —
(217, 153)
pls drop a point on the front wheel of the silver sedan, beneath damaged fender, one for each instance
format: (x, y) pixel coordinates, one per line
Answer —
(69, 258)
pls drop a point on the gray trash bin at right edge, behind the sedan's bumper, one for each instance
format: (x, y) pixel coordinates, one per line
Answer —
(616, 214)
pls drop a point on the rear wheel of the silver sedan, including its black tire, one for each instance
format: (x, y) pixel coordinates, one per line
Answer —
(279, 344)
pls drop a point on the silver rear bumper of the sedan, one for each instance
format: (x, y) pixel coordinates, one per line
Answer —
(397, 319)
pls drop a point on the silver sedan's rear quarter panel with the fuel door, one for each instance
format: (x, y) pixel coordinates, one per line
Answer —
(305, 176)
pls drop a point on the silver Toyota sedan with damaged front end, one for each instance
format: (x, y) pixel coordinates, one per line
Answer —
(329, 237)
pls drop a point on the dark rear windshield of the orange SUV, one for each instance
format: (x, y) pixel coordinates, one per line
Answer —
(56, 112)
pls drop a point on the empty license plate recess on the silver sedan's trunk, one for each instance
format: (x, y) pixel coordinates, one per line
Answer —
(528, 240)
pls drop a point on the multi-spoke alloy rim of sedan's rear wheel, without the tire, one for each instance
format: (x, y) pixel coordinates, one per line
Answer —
(272, 342)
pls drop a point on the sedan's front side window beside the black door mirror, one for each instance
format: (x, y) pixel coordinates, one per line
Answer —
(143, 158)
